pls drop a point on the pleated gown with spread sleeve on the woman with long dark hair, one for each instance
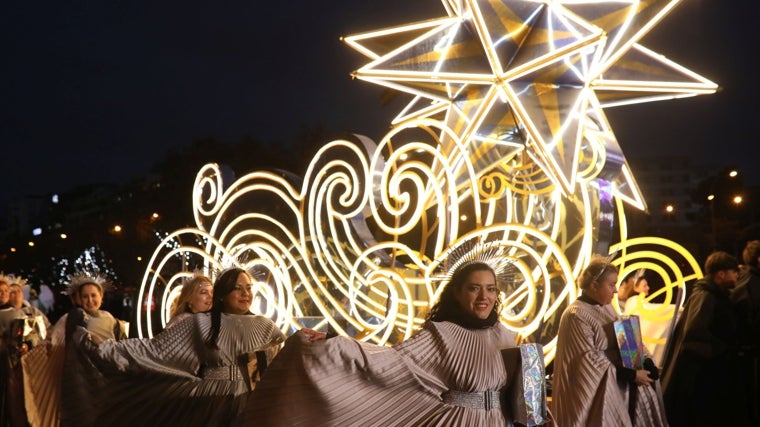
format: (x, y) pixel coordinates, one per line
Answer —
(174, 378)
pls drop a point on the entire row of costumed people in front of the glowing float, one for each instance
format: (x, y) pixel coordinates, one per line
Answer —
(217, 364)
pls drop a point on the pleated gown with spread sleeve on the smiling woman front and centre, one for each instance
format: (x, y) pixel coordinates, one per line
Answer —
(443, 375)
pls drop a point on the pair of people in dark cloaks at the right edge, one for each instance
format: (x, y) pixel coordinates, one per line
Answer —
(711, 369)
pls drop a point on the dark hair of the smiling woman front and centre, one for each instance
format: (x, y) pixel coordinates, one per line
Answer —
(448, 308)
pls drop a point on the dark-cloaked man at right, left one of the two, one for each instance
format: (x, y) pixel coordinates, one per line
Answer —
(699, 375)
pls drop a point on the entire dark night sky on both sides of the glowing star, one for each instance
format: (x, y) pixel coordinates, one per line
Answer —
(99, 91)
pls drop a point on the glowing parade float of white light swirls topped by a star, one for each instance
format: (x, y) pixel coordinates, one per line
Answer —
(505, 141)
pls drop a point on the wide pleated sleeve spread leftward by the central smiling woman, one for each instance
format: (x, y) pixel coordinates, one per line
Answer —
(339, 381)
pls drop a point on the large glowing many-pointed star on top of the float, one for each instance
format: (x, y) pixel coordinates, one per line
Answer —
(513, 75)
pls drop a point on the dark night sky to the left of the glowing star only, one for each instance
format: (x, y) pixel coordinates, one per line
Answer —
(98, 91)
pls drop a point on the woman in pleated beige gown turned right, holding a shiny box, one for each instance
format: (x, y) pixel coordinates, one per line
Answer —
(590, 385)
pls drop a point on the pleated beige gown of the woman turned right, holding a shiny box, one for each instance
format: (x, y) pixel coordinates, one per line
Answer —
(586, 389)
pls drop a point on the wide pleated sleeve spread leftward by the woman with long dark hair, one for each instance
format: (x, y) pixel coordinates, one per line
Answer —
(126, 382)
